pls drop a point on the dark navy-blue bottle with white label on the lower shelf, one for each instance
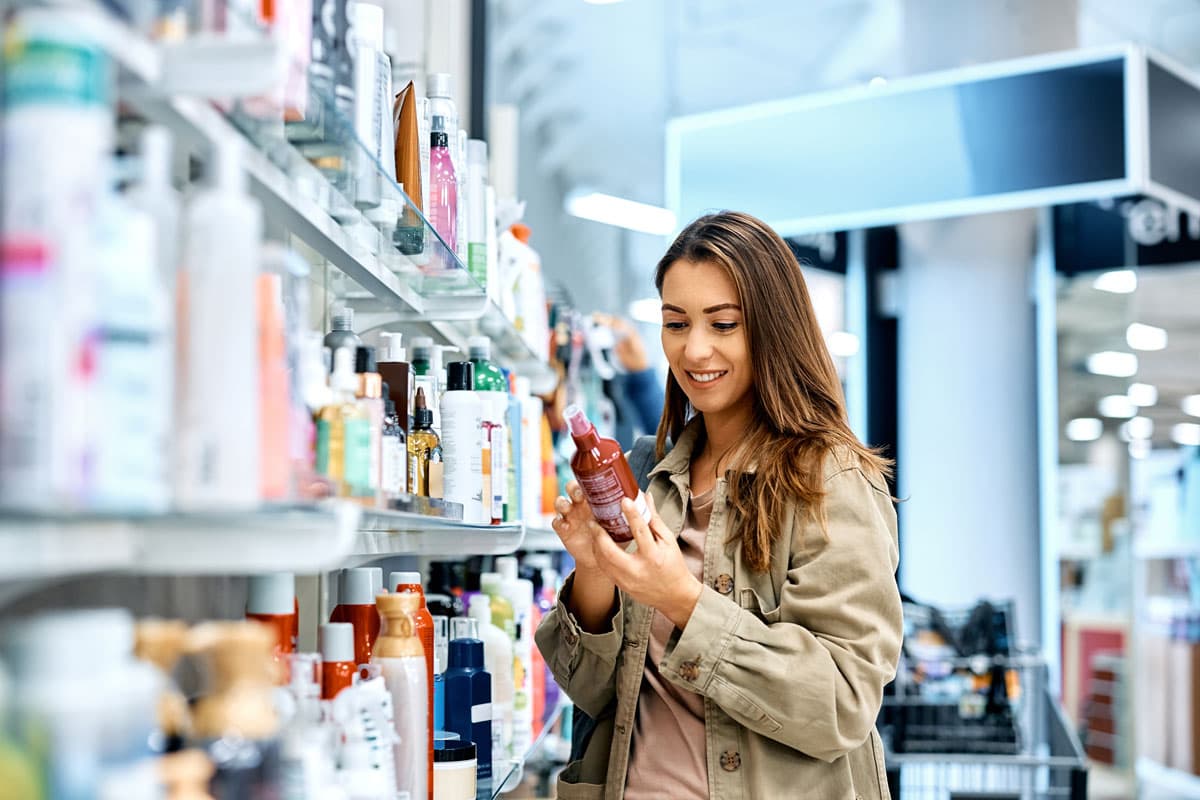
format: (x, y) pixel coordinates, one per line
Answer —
(469, 695)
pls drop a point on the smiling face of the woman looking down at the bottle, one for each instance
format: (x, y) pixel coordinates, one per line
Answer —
(705, 338)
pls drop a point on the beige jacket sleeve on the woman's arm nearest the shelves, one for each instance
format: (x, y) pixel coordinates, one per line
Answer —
(584, 665)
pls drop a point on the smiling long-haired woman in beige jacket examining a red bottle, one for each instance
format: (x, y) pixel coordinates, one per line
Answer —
(742, 647)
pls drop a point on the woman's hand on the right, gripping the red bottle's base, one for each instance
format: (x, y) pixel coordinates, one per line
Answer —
(656, 574)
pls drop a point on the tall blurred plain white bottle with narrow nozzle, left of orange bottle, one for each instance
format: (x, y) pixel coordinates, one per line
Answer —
(219, 431)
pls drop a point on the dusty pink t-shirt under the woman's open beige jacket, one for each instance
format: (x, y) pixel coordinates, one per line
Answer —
(668, 756)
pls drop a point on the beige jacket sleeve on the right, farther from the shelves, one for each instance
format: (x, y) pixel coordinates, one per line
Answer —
(812, 678)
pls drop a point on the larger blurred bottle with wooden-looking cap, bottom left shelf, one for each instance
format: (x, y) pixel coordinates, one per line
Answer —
(236, 723)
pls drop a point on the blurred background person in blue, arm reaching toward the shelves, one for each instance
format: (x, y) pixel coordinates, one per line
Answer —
(638, 393)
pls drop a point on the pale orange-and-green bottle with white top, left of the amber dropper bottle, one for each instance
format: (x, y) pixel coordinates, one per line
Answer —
(344, 431)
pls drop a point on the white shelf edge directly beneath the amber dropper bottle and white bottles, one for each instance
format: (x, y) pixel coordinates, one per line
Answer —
(383, 534)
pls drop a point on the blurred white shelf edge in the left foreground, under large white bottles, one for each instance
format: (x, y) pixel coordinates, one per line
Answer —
(301, 539)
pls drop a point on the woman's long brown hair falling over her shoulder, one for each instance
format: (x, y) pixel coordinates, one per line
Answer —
(800, 411)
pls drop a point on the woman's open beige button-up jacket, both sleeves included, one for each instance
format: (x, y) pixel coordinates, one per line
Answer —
(791, 664)
